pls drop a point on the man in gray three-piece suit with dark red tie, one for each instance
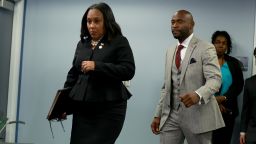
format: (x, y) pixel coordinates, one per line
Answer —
(187, 107)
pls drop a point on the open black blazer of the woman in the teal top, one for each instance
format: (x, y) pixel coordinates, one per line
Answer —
(236, 86)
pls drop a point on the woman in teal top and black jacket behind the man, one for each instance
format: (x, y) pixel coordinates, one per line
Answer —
(232, 85)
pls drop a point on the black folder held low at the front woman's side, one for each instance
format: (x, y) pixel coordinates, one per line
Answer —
(61, 104)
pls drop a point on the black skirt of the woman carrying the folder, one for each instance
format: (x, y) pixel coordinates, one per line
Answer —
(97, 122)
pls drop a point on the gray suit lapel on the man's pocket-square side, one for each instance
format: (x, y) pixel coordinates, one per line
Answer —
(192, 45)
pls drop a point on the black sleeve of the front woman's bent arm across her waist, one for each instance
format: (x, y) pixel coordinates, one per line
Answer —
(123, 68)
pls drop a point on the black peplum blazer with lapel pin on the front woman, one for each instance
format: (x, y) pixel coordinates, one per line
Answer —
(114, 63)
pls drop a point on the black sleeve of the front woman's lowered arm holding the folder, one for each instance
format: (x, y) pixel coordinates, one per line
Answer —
(73, 73)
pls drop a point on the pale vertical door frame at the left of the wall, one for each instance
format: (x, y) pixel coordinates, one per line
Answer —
(15, 71)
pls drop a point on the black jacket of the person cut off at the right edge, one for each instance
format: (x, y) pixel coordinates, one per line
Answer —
(248, 115)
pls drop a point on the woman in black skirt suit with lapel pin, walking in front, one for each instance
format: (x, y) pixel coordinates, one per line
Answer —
(103, 59)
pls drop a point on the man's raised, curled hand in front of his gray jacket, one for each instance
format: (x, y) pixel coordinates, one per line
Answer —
(190, 99)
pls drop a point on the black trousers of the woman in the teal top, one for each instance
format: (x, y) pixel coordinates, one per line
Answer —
(224, 135)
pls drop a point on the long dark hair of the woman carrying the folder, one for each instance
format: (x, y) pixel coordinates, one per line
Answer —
(111, 26)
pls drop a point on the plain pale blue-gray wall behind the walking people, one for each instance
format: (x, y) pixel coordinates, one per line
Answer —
(52, 31)
